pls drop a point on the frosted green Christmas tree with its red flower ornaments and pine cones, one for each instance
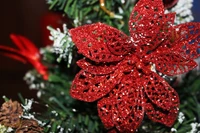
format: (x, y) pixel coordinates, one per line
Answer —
(116, 66)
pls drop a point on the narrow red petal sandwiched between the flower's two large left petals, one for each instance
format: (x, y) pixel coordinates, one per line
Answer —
(96, 68)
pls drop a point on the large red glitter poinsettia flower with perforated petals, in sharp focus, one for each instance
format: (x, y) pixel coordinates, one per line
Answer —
(124, 73)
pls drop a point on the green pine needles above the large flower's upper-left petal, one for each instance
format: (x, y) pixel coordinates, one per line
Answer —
(89, 11)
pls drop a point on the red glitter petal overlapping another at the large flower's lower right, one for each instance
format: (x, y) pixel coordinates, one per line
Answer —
(160, 92)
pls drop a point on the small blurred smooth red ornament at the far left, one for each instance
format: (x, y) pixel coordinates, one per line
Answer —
(27, 52)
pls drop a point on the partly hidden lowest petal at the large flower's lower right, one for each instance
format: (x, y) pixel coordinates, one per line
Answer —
(162, 116)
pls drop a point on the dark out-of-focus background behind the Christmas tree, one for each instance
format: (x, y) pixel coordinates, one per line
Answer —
(23, 17)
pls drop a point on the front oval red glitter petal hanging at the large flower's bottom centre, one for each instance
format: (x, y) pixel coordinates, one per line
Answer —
(128, 110)
